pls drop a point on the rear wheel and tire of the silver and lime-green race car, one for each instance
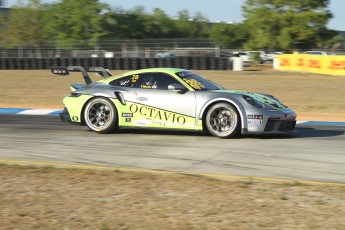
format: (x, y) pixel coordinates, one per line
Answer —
(100, 115)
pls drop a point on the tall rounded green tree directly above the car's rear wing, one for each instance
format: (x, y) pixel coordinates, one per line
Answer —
(73, 24)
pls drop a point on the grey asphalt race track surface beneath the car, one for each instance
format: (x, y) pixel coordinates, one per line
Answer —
(313, 153)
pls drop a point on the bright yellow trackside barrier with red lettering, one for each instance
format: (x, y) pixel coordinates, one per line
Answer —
(322, 64)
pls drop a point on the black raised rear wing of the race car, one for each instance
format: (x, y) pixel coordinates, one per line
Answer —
(63, 70)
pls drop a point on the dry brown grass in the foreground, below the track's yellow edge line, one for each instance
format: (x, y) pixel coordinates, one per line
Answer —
(50, 198)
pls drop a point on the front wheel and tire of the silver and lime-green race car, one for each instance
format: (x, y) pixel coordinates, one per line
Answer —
(223, 121)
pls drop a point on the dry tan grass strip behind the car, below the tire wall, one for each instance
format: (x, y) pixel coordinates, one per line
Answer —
(312, 96)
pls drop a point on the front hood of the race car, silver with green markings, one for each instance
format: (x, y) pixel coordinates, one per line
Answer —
(263, 98)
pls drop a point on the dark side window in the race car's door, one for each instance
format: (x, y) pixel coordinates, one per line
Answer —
(156, 81)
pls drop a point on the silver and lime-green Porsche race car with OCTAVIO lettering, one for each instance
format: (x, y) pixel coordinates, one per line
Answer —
(170, 98)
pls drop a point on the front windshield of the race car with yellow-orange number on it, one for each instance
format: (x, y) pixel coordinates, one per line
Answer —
(198, 82)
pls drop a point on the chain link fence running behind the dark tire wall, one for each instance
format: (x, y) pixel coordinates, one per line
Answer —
(143, 48)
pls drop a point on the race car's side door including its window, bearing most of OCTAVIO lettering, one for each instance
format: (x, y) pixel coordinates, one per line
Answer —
(160, 106)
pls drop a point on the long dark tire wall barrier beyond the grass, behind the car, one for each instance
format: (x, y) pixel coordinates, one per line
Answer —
(200, 63)
